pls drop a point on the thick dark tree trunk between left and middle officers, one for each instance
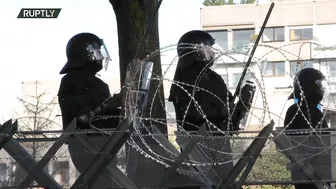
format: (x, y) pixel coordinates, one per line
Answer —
(132, 18)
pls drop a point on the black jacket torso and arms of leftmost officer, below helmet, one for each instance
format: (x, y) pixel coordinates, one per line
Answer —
(81, 92)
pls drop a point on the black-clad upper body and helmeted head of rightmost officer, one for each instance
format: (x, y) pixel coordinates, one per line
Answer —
(310, 81)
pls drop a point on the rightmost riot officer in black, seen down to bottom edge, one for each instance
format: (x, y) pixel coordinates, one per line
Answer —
(305, 114)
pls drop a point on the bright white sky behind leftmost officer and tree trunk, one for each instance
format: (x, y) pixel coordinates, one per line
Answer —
(34, 49)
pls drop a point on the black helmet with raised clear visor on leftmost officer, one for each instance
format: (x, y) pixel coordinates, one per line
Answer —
(85, 48)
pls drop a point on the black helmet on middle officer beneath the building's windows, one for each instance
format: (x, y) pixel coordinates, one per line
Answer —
(196, 37)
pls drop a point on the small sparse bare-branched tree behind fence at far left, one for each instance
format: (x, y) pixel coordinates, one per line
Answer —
(39, 113)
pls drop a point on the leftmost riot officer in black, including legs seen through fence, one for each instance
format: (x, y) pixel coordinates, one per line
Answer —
(82, 95)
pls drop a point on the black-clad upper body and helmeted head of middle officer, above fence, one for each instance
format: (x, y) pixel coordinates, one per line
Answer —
(204, 85)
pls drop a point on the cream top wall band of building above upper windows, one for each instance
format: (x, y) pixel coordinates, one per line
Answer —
(288, 13)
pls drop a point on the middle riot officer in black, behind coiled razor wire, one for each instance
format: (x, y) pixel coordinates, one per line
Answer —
(200, 96)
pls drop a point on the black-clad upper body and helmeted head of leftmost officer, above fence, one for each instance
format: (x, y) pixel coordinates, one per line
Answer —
(81, 92)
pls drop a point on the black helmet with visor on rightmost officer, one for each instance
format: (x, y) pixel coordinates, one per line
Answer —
(309, 81)
